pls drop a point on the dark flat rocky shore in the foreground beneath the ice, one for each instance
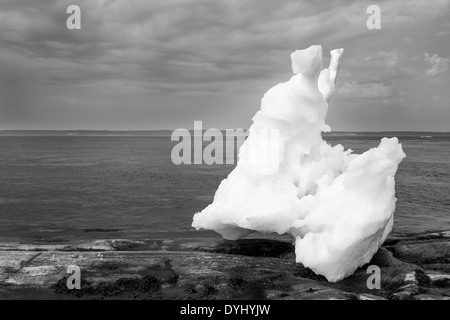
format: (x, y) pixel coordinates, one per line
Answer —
(412, 267)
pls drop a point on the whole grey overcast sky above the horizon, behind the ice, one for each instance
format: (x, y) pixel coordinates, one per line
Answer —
(162, 64)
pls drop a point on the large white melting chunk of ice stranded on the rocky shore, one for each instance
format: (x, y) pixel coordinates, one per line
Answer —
(337, 205)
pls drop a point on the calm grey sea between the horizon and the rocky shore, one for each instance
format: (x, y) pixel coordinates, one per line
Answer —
(57, 186)
